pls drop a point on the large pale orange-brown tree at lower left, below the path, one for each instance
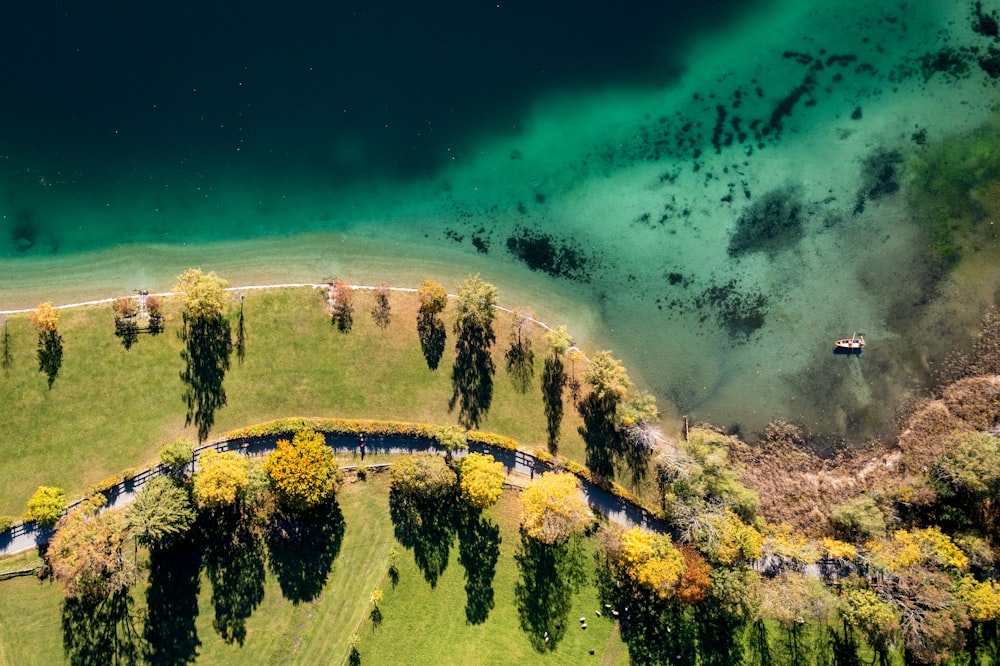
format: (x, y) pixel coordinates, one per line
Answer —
(86, 553)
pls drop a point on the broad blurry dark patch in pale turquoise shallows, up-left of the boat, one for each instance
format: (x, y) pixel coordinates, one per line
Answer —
(771, 224)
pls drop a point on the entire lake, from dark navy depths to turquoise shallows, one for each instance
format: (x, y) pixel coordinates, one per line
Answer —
(716, 196)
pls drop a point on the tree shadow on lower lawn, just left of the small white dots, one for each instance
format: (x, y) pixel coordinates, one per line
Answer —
(550, 576)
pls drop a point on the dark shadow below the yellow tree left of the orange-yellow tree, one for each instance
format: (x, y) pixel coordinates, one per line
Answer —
(234, 562)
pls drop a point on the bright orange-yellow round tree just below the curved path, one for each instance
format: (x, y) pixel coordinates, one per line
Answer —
(303, 472)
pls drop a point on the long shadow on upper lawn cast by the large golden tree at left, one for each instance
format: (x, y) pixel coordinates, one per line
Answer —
(208, 346)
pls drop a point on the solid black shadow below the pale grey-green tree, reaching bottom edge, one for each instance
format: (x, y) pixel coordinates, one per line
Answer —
(172, 604)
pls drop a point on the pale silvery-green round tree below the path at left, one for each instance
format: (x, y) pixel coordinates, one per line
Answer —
(161, 514)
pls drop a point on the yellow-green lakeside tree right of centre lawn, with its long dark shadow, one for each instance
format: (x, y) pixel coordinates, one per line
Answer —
(472, 375)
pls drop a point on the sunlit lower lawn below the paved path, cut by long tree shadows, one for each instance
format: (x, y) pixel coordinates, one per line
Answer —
(422, 624)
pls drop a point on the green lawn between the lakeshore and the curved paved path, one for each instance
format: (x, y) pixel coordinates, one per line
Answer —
(111, 409)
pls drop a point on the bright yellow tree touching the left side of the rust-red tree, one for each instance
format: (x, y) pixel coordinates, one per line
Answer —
(651, 560)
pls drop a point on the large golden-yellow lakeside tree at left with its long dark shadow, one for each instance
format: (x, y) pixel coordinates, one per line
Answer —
(207, 346)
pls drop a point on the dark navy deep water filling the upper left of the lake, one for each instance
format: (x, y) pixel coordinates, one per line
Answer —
(344, 89)
